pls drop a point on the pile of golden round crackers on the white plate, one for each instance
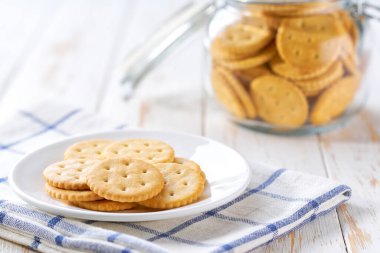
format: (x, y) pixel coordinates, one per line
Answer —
(105, 175)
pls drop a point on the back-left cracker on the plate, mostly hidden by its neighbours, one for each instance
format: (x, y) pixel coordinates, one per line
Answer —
(89, 149)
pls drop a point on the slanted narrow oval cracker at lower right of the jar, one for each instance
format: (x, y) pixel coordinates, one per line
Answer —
(334, 101)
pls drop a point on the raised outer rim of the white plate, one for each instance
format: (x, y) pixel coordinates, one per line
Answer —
(124, 217)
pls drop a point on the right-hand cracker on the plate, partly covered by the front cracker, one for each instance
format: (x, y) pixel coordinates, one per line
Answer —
(183, 186)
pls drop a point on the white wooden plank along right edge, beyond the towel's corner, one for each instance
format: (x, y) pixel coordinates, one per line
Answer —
(352, 156)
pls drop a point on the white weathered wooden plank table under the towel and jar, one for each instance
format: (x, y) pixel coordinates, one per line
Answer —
(67, 50)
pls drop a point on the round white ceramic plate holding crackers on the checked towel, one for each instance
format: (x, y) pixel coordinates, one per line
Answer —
(227, 173)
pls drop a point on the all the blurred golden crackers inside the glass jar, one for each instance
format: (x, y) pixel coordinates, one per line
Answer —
(287, 64)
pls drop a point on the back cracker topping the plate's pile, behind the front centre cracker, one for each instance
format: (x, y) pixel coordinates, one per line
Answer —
(152, 151)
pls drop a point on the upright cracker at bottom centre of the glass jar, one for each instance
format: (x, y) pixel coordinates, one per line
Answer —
(279, 102)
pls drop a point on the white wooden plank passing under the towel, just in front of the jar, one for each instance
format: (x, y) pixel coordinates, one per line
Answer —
(298, 153)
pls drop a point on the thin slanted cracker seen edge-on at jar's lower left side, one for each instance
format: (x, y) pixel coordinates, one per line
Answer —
(238, 89)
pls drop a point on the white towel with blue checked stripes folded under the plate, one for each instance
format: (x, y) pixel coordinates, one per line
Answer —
(276, 202)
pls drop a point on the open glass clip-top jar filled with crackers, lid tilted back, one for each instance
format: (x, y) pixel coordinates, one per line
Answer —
(278, 66)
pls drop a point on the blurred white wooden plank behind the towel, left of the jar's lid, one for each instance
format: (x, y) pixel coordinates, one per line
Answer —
(71, 59)
